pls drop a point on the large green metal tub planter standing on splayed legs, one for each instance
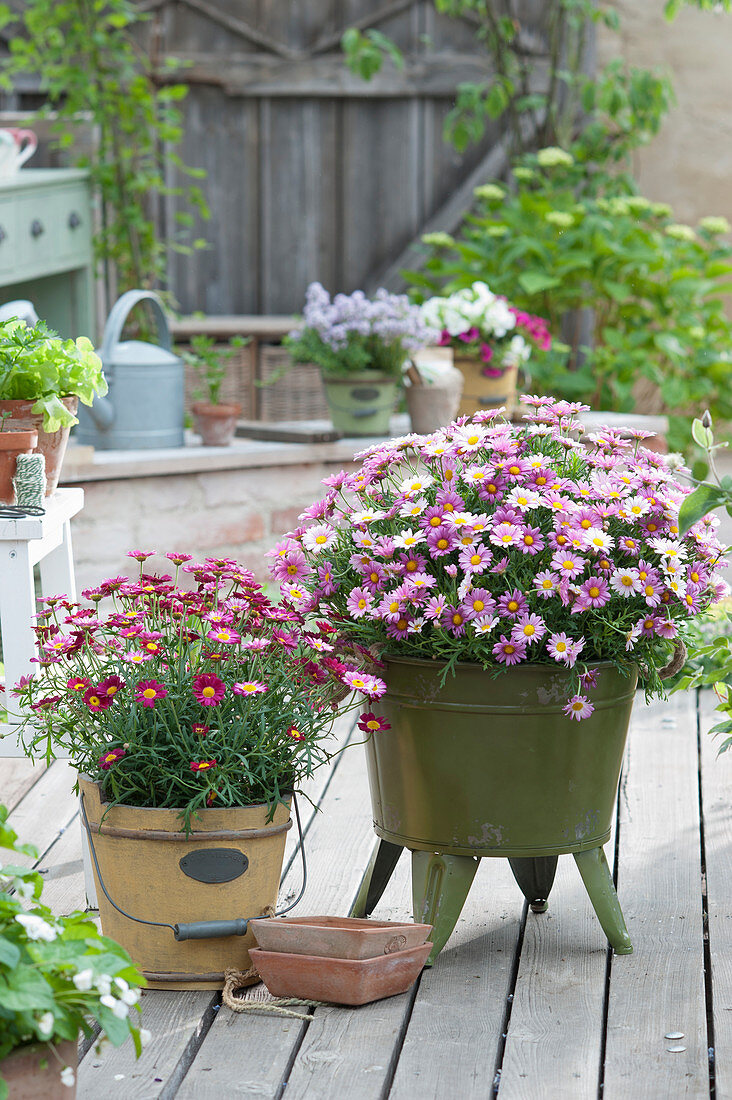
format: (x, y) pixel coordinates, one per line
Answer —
(487, 766)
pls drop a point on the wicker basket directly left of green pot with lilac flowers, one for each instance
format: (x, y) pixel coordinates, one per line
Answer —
(287, 391)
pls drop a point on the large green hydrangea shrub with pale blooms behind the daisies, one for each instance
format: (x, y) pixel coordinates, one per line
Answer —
(657, 290)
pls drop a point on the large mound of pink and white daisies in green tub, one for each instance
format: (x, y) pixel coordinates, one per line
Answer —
(502, 545)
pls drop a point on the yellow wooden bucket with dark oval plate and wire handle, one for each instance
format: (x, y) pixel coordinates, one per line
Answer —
(227, 868)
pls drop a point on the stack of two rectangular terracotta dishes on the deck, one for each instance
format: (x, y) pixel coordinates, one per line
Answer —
(341, 960)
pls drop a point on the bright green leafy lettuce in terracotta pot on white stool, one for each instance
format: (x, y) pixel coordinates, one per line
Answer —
(37, 365)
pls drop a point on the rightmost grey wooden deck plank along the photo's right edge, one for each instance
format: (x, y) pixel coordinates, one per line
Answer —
(718, 845)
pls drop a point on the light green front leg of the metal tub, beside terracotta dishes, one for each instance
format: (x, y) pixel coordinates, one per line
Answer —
(440, 888)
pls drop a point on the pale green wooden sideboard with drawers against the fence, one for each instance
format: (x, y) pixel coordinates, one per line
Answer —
(46, 247)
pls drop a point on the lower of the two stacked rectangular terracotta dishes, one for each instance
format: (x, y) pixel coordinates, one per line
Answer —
(340, 982)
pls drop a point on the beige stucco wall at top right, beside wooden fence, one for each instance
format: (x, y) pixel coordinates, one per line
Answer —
(690, 164)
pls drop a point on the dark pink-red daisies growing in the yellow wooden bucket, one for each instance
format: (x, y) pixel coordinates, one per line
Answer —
(132, 685)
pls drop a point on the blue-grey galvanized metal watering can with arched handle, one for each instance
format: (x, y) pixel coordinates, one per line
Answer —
(145, 408)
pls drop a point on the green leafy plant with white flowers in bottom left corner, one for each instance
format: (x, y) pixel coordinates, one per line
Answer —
(58, 975)
